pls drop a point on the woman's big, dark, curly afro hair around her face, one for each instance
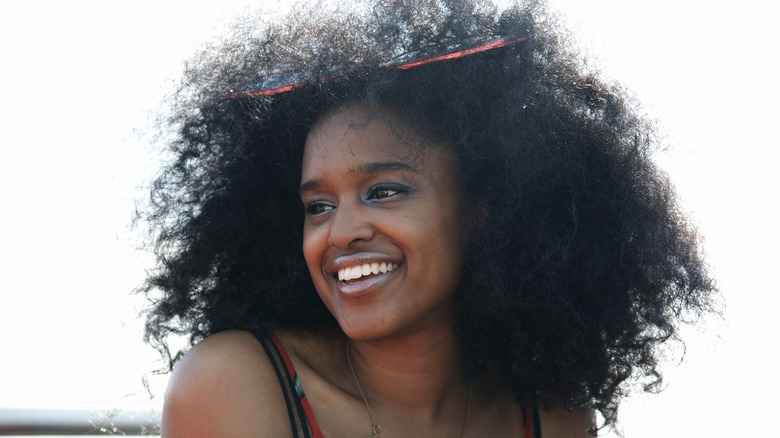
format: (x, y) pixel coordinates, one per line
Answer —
(582, 265)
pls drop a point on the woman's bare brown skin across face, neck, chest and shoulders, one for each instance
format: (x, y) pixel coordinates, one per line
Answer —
(369, 197)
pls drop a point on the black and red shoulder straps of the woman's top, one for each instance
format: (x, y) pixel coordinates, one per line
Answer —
(302, 420)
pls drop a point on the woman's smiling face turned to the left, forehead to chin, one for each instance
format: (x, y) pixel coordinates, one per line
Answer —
(385, 236)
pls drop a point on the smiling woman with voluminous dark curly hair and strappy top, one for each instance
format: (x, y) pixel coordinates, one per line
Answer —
(425, 220)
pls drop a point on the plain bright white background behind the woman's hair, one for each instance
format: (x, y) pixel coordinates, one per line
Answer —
(80, 78)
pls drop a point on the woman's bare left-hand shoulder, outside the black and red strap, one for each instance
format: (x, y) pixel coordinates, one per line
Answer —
(225, 386)
